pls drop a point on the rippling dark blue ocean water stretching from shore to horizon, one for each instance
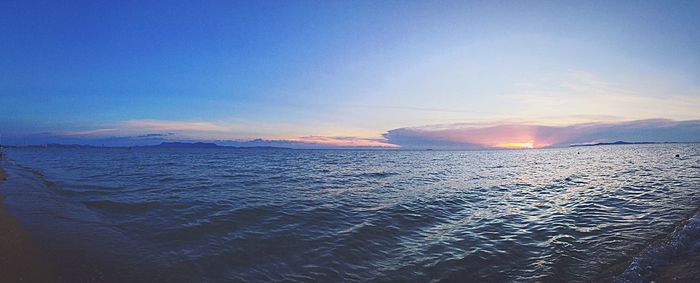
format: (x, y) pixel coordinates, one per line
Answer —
(190, 215)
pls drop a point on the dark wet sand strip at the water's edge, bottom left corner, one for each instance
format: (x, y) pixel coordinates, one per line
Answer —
(20, 260)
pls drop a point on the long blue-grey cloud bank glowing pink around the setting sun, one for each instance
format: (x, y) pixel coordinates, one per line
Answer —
(515, 135)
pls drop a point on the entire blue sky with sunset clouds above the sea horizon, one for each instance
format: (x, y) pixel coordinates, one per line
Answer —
(395, 74)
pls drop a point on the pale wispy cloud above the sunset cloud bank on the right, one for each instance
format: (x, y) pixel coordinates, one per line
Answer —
(584, 93)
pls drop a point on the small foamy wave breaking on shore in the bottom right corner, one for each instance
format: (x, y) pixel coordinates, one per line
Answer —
(684, 240)
